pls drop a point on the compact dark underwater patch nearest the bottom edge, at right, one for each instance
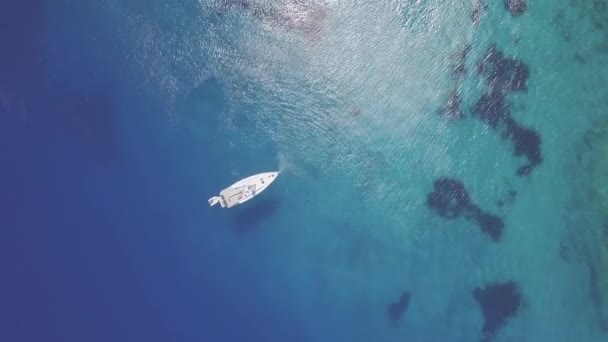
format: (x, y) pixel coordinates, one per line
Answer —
(499, 302)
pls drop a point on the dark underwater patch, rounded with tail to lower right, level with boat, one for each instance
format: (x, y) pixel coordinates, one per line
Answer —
(450, 199)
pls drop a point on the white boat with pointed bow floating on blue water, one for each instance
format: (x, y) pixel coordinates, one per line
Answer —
(244, 190)
